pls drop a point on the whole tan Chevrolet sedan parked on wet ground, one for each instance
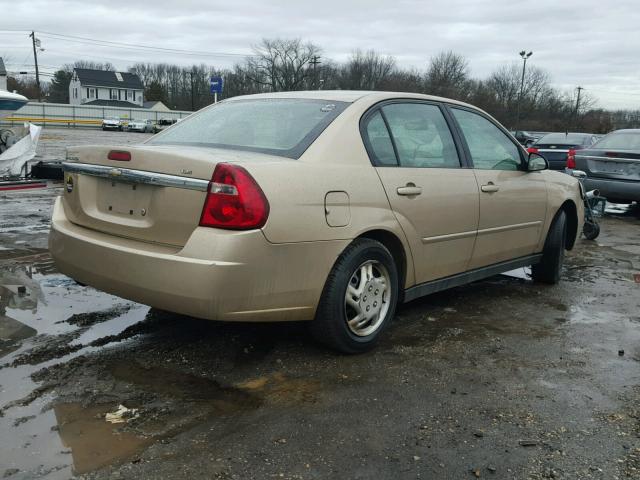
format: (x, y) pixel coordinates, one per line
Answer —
(331, 207)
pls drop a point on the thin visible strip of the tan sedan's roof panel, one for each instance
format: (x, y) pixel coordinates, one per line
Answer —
(349, 96)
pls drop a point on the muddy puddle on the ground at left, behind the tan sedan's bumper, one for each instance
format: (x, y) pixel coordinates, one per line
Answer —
(47, 319)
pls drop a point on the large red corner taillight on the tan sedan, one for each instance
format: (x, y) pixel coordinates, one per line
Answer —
(234, 200)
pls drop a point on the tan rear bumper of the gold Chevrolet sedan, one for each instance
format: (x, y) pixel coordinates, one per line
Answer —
(217, 275)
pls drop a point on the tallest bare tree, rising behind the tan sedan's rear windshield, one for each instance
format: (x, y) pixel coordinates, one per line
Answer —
(282, 65)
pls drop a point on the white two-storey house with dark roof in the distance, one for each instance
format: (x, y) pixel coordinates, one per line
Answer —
(105, 89)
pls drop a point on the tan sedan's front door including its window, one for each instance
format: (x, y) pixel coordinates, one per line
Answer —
(512, 201)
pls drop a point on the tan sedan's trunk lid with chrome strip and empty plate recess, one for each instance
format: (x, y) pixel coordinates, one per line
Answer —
(156, 196)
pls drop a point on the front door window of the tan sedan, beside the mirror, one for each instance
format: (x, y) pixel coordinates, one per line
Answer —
(489, 146)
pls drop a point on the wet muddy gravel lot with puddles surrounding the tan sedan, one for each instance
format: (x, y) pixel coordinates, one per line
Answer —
(500, 379)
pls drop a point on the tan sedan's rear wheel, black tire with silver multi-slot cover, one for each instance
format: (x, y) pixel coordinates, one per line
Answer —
(359, 298)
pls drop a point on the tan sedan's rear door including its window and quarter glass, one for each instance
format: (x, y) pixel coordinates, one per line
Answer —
(434, 198)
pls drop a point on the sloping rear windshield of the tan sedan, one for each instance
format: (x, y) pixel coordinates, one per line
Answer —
(282, 126)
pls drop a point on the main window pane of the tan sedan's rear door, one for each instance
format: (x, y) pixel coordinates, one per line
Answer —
(422, 136)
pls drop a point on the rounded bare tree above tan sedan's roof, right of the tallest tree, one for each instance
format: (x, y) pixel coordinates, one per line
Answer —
(366, 71)
